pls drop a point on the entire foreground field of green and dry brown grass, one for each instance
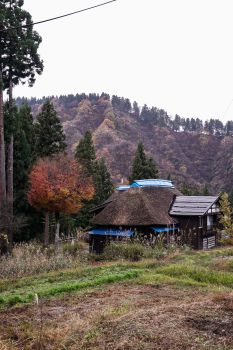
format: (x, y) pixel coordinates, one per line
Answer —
(181, 301)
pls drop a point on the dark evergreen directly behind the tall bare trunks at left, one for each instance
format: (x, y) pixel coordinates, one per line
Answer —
(24, 141)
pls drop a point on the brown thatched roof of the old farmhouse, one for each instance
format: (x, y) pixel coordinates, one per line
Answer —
(138, 207)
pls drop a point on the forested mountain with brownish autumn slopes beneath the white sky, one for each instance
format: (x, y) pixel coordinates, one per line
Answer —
(190, 151)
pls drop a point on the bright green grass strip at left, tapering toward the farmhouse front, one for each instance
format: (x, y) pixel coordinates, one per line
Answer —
(67, 283)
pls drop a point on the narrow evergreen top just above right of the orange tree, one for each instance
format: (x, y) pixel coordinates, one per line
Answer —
(85, 153)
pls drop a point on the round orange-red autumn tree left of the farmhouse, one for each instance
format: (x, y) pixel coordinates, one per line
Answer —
(58, 185)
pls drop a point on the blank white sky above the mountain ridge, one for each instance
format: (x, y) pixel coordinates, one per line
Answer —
(173, 54)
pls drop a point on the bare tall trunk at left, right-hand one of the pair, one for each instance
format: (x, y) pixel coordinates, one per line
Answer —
(10, 155)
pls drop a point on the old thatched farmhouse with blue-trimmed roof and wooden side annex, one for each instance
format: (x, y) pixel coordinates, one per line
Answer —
(155, 208)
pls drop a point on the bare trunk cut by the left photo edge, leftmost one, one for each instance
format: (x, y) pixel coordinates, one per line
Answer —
(2, 149)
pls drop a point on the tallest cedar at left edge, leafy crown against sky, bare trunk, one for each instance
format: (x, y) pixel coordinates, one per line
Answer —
(19, 62)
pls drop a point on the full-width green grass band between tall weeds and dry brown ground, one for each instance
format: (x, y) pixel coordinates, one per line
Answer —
(211, 270)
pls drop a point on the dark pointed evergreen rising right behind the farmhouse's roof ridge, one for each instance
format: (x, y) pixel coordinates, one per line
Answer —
(143, 167)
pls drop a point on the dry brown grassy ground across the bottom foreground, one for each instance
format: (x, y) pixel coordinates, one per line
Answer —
(123, 317)
